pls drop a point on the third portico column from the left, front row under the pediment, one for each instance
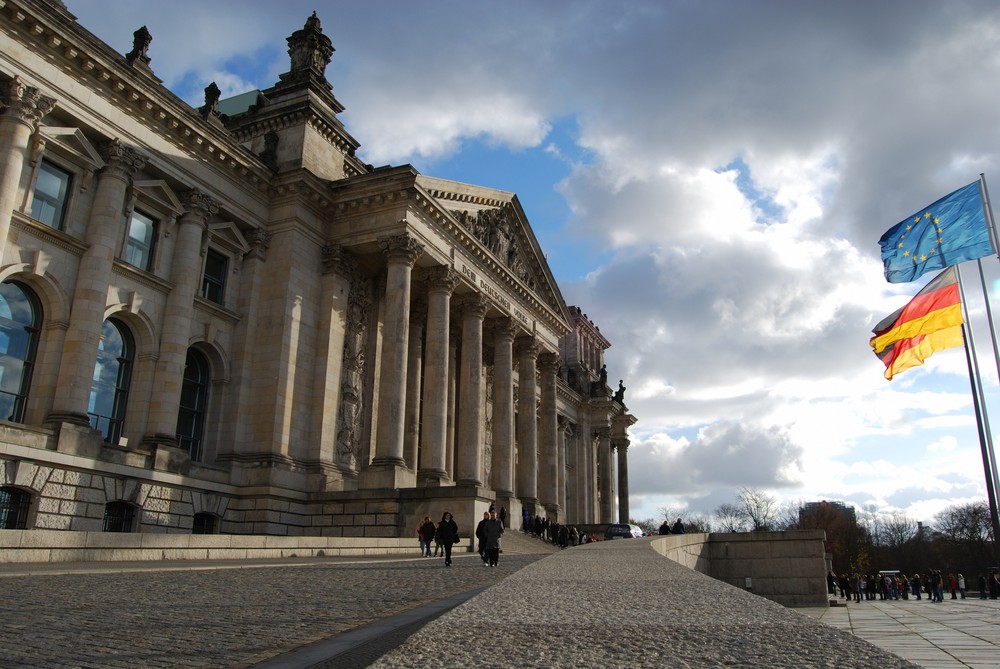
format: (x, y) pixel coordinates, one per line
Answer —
(469, 449)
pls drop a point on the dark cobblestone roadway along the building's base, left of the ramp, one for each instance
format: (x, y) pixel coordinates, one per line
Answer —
(216, 617)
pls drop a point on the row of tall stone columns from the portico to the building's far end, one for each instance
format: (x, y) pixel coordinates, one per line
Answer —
(553, 465)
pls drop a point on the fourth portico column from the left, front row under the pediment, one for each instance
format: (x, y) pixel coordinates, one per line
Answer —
(503, 409)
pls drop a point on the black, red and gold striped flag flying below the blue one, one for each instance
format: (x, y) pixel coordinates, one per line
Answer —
(930, 322)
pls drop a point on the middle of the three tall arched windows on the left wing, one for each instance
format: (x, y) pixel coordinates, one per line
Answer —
(112, 373)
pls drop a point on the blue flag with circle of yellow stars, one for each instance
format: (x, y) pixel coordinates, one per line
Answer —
(950, 231)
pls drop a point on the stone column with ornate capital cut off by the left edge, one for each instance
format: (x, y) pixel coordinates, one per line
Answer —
(24, 108)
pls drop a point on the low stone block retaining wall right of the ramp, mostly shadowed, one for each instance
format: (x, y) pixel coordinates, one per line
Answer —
(786, 567)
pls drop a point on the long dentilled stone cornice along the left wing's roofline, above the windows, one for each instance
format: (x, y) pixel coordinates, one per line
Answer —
(134, 89)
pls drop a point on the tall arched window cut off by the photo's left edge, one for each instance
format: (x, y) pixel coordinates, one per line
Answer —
(20, 319)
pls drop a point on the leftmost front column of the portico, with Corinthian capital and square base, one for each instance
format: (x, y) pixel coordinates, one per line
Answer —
(401, 253)
